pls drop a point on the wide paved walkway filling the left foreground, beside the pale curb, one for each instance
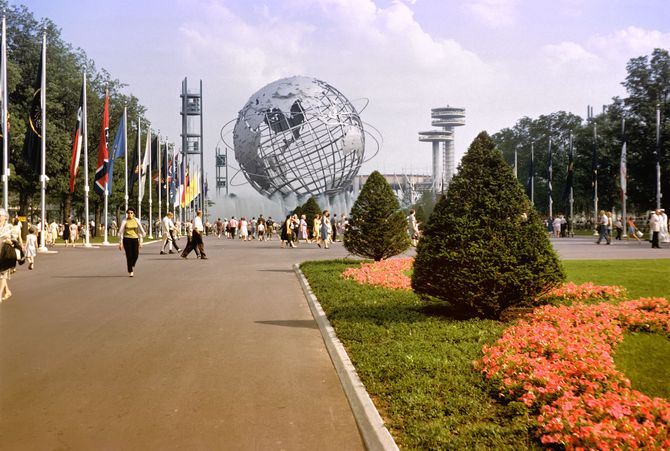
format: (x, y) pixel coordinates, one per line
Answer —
(216, 354)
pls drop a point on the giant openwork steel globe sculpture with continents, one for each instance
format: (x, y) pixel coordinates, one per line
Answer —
(299, 136)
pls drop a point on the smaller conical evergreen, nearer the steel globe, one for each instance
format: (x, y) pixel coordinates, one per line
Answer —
(377, 226)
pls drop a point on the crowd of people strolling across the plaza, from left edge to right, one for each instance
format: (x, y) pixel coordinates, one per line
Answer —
(324, 229)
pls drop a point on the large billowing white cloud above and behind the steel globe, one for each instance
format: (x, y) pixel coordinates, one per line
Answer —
(364, 51)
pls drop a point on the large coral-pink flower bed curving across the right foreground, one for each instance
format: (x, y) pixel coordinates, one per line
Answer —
(559, 363)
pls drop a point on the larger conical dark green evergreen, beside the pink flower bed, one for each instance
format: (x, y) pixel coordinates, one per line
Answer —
(484, 249)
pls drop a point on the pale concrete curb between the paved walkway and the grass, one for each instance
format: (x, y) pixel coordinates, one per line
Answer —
(370, 423)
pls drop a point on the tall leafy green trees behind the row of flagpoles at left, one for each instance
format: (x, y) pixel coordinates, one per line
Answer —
(65, 66)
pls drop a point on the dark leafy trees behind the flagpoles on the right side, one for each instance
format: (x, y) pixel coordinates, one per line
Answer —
(648, 86)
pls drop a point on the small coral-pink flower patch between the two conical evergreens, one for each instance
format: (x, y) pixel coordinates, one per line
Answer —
(386, 273)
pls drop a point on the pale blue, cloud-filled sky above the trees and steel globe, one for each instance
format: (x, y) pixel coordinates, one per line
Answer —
(501, 60)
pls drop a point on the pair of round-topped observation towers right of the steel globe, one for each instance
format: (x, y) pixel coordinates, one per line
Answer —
(447, 118)
